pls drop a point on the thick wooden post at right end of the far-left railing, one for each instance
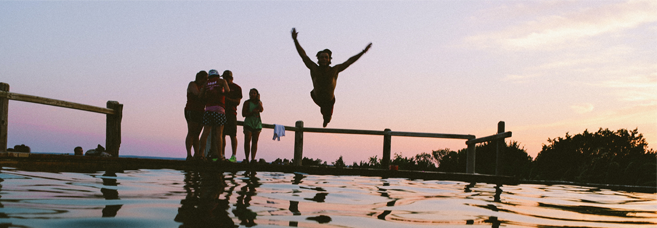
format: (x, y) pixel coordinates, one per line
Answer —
(113, 128)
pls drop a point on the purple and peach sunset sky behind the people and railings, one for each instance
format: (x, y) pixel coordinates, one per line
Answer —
(543, 67)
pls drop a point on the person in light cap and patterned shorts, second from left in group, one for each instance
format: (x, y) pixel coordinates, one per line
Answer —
(214, 116)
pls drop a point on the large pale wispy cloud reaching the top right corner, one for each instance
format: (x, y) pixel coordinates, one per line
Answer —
(554, 31)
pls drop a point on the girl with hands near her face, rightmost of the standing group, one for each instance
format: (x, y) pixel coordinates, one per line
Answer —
(252, 124)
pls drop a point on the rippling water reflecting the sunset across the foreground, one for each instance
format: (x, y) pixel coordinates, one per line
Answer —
(173, 198)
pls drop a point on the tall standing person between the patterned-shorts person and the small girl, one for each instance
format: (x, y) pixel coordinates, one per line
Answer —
(233, 99)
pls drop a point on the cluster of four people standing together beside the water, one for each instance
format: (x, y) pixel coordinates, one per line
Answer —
(212, 102)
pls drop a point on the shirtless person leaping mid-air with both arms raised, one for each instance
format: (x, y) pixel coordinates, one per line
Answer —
(324, 76)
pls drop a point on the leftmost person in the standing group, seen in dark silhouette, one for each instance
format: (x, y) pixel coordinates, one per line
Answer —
(194, 113)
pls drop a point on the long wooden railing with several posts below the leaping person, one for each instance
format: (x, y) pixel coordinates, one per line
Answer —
(387, 138)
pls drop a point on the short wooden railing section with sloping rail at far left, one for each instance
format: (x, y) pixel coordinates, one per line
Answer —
(114, 112)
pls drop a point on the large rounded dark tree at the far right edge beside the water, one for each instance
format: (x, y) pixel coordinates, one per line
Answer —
(610, 157)
